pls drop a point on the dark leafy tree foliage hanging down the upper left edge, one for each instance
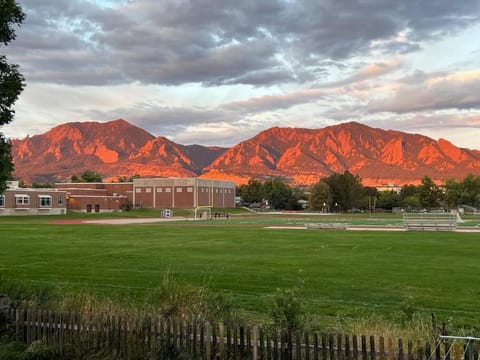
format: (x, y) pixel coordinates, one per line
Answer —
(11, 83)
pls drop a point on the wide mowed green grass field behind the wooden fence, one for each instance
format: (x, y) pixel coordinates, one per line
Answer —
(346, 273)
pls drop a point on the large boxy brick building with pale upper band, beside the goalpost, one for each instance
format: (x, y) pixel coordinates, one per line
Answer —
(173, 193)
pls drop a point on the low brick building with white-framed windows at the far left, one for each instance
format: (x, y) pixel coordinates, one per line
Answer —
(28, 201)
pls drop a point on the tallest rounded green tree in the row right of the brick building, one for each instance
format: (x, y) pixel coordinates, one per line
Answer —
(347, 190)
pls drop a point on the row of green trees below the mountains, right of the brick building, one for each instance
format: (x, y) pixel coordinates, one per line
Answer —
(345, 192)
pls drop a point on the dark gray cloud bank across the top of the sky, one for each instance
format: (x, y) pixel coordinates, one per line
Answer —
(218, 41)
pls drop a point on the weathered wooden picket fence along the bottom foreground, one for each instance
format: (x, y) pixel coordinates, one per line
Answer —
(144, 337)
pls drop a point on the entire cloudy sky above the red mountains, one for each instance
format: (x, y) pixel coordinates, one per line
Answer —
(216, 72)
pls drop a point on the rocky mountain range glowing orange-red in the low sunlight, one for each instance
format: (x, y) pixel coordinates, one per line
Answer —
(303, 156)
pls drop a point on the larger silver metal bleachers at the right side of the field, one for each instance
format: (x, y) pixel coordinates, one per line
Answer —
(430, 221)
